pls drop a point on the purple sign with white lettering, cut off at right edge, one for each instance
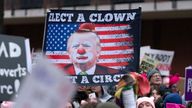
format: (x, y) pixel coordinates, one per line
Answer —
(188, 83)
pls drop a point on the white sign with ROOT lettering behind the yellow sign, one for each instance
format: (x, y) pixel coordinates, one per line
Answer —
(163, 57)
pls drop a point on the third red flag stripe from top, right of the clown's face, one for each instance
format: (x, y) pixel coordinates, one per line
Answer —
(116, 48)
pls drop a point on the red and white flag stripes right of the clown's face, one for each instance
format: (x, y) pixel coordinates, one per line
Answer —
(116, 43)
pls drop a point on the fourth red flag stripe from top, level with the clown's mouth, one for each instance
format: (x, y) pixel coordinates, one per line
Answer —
(115, 56)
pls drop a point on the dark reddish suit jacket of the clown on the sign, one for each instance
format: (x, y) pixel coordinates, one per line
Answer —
(99, 70)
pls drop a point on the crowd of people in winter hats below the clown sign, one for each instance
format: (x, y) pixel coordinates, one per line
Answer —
(150, 90)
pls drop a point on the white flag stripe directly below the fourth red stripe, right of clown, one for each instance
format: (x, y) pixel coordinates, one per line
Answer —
(114, 60)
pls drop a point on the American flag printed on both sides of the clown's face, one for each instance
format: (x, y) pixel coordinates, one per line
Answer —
(116, 43)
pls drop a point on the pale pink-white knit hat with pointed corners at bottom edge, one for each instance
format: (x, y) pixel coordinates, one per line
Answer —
(145, 99)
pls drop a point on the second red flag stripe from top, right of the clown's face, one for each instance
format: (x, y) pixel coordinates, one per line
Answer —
(116, 40)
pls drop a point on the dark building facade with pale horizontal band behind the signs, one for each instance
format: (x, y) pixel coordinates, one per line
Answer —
(166, 24)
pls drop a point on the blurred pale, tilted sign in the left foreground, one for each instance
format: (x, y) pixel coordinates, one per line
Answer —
(46, 87)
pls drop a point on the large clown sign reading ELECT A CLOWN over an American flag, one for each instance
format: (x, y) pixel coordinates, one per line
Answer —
(93, 46)
